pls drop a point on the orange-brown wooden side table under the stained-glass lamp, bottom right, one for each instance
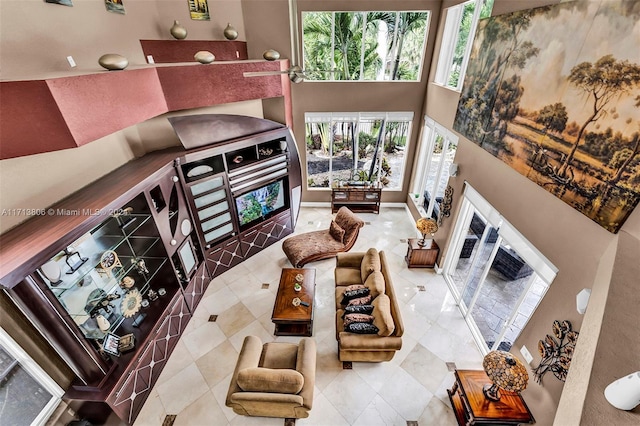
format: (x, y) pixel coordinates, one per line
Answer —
(472, 408)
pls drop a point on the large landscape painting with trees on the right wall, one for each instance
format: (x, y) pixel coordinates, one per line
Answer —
(554, 92)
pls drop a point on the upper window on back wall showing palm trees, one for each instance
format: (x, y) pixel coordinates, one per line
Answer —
(371, 46)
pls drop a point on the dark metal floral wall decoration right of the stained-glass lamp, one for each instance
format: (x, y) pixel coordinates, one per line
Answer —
(556, 353)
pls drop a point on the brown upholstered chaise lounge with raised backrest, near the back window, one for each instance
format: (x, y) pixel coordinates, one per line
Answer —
(325, 244)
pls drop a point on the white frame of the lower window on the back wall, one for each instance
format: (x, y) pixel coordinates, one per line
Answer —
(358, 118)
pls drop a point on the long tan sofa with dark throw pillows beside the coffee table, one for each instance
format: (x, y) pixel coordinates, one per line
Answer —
(370, 269)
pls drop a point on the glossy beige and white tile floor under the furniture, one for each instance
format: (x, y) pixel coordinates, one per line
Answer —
(411, 387)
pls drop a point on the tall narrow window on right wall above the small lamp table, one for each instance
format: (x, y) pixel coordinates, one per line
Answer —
(437, 152)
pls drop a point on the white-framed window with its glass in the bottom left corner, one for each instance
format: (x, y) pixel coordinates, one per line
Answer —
(27, 394)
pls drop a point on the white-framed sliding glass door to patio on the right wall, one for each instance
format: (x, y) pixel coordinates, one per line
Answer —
(491, 276)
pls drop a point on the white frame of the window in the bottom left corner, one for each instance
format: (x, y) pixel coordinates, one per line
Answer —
(36, 372)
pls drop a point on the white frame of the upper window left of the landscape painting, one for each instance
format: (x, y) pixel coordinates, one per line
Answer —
(450, 37)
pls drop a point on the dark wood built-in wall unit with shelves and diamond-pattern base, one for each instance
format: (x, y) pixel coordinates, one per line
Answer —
(167, 222)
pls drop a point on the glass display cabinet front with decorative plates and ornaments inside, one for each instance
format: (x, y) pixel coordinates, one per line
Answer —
(101, 278)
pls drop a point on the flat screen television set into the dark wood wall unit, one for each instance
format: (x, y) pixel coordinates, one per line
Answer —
(259, 204)
